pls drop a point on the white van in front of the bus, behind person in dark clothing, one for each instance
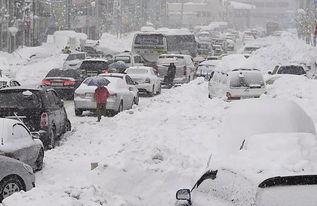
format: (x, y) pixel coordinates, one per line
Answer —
(185, 68)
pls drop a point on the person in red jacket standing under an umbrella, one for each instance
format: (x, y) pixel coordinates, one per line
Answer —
(101, 95)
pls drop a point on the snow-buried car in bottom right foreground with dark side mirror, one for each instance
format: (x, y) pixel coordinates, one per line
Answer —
(268, 158)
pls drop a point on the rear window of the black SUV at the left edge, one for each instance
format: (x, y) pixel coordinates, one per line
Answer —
(19, 99)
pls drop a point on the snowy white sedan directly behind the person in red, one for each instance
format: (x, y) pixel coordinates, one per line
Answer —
(121, 99)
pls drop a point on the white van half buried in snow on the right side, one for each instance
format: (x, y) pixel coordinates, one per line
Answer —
(237, 84)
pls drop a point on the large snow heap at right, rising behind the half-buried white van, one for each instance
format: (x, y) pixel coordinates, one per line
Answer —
(284, 50)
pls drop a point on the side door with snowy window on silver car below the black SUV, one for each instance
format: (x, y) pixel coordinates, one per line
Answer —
(25, 148)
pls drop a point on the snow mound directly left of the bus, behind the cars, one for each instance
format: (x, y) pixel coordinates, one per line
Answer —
(114, 43)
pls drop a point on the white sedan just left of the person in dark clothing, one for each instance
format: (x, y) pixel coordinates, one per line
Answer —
(146, 80)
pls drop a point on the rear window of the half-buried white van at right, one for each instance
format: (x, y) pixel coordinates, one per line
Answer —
(247, 79)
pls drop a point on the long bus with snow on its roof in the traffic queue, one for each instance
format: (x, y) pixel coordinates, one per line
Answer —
(150, 45)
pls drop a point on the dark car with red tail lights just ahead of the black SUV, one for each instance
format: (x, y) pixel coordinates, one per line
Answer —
(64, 82)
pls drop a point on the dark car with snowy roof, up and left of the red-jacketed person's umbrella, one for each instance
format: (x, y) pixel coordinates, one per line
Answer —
(93, 67)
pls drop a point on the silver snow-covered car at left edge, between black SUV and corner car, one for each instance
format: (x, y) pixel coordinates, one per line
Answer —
(19, 143)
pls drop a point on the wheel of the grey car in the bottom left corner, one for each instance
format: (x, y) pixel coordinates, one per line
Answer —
(10, 185)
